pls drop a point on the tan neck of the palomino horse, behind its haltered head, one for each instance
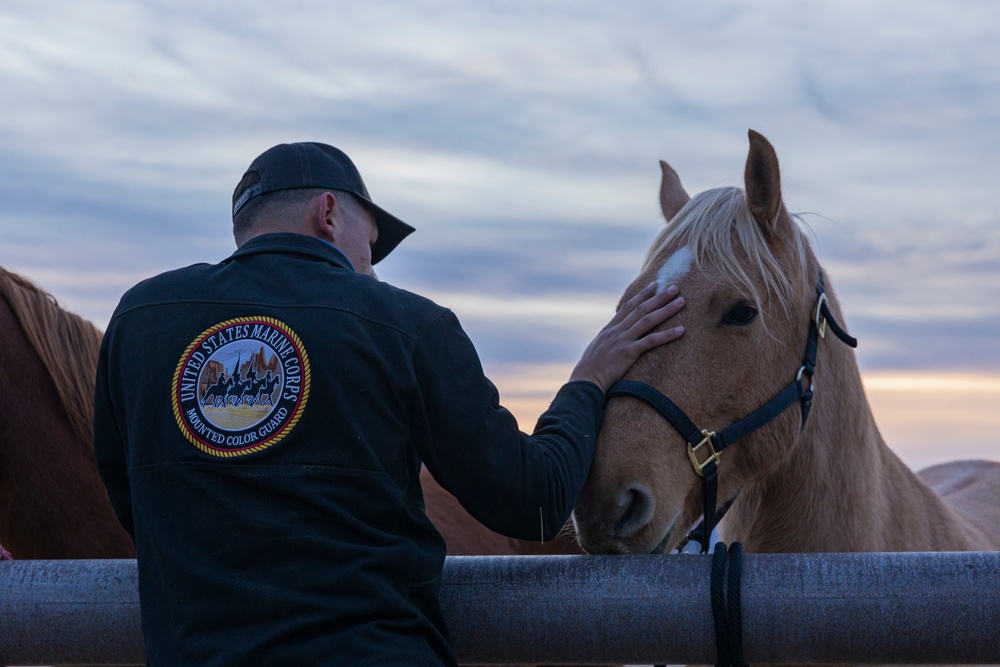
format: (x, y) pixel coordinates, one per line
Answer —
(842, 488)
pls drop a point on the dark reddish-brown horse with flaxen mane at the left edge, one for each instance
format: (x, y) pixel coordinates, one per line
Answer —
(52, 501)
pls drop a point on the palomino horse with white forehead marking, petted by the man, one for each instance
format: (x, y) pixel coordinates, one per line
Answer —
(819, 479)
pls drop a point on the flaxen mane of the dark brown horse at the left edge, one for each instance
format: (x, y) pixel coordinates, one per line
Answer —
(67, 344)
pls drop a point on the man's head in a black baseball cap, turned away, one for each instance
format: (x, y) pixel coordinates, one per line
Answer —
(301, 187)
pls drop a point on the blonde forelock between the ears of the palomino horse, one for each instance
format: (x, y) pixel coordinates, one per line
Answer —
(718, 224)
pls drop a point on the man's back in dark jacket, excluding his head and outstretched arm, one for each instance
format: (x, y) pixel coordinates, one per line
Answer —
(321, 527)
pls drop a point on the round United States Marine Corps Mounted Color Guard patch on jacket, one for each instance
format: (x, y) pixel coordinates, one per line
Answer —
(241, 386)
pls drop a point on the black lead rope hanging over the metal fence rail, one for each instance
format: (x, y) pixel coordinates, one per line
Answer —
(725, 589)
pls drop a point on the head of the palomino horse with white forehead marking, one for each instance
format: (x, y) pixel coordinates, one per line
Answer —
(748, 278)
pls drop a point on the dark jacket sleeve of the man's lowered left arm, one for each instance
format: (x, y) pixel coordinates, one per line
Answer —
(109, 444)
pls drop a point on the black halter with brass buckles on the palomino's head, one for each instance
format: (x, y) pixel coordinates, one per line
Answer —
(702, 442)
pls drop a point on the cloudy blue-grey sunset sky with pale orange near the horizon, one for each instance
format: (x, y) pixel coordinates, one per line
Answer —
(522, 139)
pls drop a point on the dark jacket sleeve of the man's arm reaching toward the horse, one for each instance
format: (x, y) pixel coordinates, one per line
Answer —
(519, 485)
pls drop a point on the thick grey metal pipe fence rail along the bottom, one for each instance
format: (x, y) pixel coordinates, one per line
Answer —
(861, 608)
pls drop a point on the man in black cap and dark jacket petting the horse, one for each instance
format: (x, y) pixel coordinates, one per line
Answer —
(291, 531)
